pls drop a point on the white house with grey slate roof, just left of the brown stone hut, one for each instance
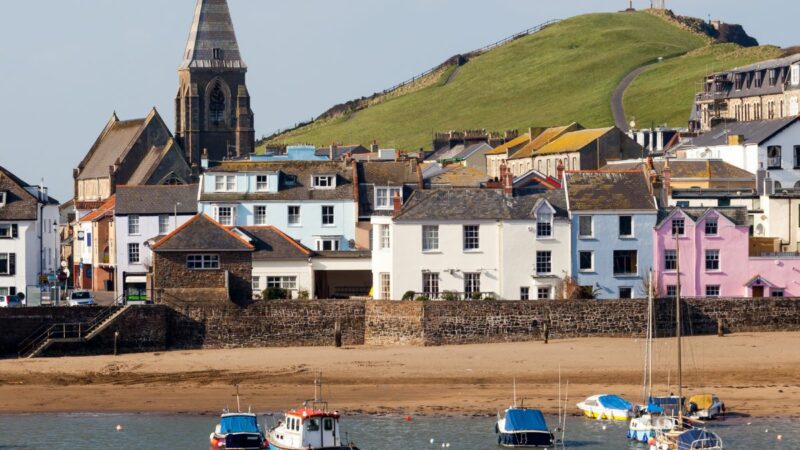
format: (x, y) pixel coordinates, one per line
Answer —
(142, 215)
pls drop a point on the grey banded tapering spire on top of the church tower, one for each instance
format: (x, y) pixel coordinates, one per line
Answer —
(212, 39)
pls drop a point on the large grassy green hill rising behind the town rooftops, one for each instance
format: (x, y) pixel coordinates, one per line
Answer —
(564, 73)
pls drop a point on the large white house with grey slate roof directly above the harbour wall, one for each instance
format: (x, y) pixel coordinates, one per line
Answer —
(473, 244)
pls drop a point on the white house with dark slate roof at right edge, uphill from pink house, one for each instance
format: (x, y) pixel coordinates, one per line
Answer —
(773, 145)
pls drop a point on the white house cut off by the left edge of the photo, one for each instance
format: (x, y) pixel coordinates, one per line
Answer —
(29, 240)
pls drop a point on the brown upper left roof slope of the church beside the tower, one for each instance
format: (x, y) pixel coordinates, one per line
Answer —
(110, 146)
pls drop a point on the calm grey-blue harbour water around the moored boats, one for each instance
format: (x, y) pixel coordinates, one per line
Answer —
(90, 431)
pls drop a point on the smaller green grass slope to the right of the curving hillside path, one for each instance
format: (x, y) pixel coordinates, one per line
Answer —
(664, 93)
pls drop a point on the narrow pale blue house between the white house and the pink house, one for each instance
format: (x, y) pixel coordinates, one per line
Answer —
(613, 214)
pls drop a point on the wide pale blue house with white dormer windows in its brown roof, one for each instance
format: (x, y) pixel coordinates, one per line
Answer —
(314, 202)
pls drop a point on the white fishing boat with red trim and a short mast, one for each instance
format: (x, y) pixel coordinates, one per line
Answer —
(311, 427)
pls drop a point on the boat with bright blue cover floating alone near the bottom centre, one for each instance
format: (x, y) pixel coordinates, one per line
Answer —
(523, 427)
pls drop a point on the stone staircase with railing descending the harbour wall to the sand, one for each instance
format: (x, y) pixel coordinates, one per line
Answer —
(81, 332)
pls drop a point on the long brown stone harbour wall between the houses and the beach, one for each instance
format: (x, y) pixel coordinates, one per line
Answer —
(314, 322)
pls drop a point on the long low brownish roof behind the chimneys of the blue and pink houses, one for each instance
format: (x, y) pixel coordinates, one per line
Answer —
(688, 168)
